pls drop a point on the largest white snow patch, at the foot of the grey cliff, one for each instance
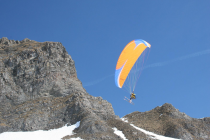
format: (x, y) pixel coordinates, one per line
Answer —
(53, 134)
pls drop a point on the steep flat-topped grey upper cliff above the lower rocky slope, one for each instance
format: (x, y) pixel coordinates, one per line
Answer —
(31, 70)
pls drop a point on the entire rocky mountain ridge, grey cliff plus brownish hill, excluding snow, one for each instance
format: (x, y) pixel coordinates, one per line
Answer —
(39, 90)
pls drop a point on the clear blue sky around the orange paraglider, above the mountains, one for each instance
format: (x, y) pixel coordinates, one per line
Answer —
(95, 32)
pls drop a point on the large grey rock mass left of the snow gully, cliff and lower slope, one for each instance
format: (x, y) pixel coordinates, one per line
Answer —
(40, 91)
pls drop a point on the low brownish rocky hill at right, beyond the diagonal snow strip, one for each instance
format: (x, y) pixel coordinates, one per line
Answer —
(169, 121)
